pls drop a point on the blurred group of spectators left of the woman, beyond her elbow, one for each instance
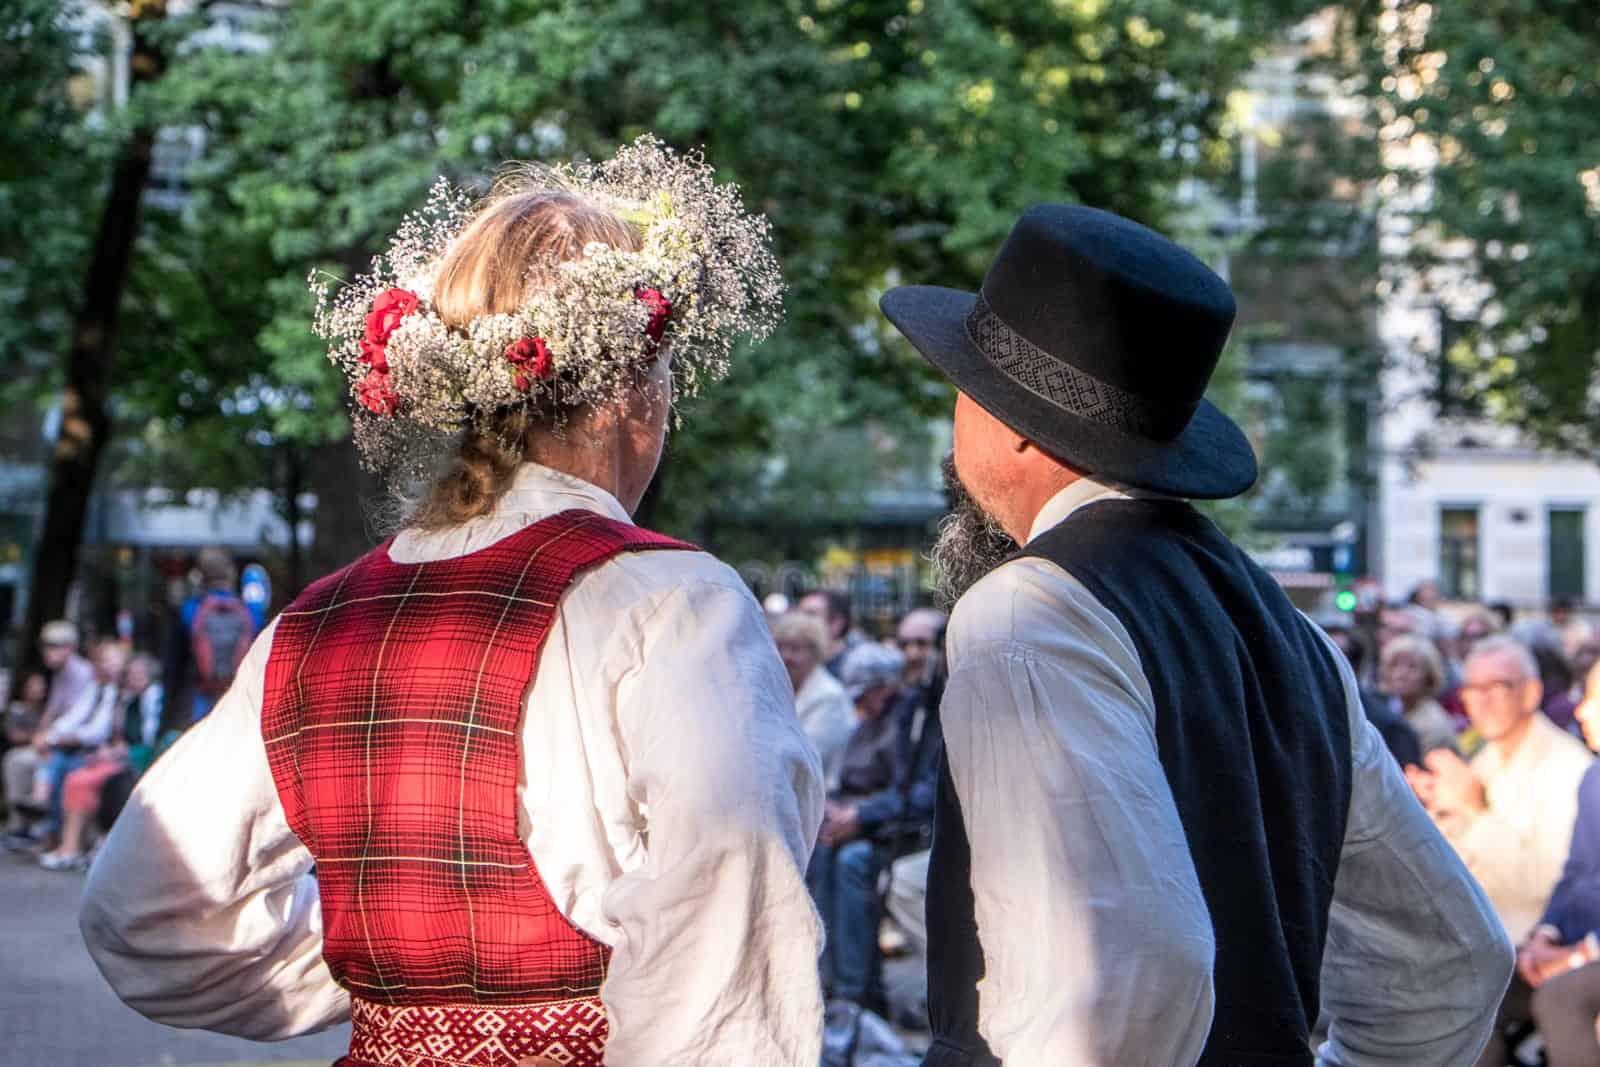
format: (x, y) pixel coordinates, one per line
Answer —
(86, 724)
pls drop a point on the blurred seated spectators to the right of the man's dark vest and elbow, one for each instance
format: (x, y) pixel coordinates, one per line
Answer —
(1492, 719)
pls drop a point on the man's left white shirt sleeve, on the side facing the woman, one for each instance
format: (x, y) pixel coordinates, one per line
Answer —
(1098, 946)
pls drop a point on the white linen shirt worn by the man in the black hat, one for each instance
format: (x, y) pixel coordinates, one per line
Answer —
(1097, 940)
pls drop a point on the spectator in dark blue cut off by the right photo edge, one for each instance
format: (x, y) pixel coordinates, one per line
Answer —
(1558, 983)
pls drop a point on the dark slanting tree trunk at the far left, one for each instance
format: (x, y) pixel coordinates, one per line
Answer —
(86, 420)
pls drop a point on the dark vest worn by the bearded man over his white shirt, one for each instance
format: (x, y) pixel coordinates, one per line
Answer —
(1254, 735)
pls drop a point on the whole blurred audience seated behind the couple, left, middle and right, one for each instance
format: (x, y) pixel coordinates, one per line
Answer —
(1487, 716)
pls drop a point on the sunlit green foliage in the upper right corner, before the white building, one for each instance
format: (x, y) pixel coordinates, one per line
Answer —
(1489, 116)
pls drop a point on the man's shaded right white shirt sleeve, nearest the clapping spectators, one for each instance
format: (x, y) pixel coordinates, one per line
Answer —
(1417, 961)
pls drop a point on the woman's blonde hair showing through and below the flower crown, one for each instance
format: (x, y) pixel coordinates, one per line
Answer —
(510, 249)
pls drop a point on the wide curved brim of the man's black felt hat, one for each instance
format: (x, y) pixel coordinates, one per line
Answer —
(1210, 460)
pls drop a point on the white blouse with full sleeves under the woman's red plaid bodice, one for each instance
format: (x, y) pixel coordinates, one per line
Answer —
(670, 801)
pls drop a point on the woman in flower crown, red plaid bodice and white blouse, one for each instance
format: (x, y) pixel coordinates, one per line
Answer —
(524, 785)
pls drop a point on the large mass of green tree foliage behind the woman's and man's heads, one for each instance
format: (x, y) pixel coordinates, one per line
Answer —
(887, 140)
